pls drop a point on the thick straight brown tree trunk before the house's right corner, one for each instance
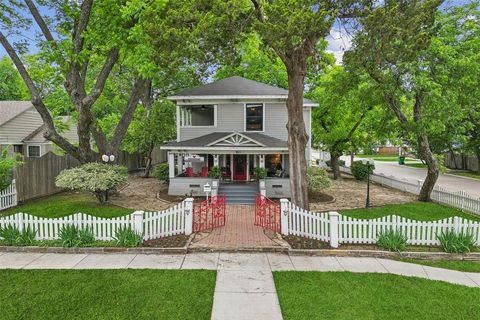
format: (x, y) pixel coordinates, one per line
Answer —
(297, 135)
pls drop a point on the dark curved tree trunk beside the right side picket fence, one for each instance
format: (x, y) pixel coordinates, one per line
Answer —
(432, 164)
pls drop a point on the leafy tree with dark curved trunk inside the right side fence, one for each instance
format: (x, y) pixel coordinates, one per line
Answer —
(392, 47)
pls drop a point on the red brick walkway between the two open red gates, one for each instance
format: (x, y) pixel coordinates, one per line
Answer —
(239, 231)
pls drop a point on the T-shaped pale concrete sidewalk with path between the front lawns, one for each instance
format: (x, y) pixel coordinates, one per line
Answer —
(245, 287)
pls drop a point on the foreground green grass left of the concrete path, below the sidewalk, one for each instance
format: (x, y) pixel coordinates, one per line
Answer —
(106, 294)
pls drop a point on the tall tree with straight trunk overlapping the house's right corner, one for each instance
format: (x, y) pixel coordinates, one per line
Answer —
(293, 29)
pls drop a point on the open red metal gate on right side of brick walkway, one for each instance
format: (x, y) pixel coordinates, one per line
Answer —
(267, 213)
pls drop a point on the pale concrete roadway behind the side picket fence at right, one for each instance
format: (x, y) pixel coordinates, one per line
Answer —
(450, 182)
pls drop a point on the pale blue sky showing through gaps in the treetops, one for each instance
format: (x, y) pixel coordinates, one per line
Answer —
(338, 41)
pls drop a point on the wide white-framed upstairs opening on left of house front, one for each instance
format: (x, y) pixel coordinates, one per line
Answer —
(198, 116)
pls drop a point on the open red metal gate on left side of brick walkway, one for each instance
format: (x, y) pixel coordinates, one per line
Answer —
(209, 214)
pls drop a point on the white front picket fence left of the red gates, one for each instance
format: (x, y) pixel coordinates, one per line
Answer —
(153, 225)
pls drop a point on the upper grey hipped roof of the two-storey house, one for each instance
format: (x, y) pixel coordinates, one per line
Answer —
(234, 87)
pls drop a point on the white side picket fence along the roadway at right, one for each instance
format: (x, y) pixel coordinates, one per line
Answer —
(461, 200)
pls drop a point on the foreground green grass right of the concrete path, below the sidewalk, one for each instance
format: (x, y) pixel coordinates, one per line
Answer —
(344, 295)
